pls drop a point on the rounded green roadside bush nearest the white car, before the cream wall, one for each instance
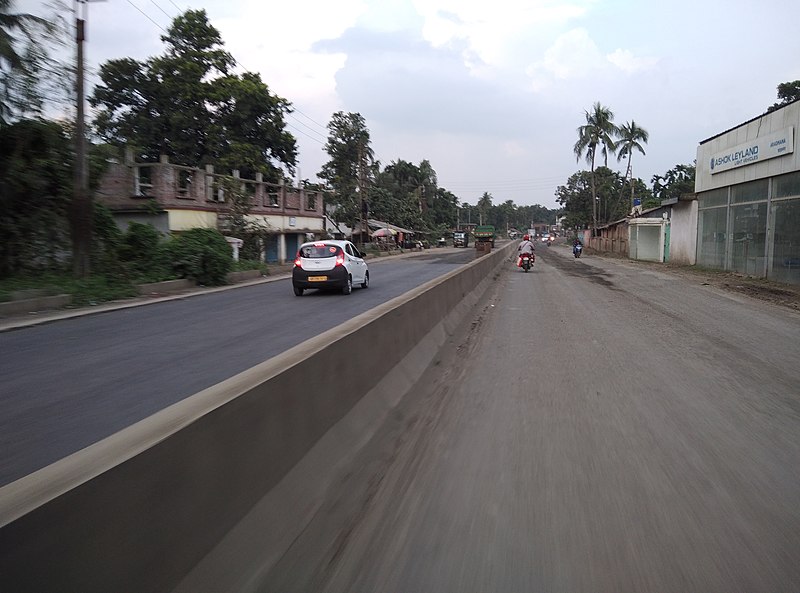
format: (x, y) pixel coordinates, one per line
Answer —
(202, 255)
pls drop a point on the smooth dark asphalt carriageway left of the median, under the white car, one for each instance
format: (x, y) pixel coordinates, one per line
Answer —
(67, 384)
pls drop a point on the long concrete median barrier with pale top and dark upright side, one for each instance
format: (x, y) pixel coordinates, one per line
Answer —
(138, 510)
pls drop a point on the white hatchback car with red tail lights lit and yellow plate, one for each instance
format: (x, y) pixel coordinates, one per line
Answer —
(329, 265)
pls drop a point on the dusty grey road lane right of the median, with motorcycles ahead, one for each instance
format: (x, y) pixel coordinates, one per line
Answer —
(596, 428)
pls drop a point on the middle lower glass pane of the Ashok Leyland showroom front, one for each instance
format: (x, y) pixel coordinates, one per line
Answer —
(749, 239)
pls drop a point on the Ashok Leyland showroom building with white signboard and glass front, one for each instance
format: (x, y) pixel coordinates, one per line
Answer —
(748, 197)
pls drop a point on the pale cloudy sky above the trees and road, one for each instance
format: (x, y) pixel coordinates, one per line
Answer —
(490, 92)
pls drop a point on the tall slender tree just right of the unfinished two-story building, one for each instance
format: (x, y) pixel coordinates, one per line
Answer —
(351, 168)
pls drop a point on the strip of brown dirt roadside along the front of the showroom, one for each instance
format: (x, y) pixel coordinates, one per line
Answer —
(785, 295)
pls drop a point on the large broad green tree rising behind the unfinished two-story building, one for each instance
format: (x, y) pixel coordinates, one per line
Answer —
(188, 105)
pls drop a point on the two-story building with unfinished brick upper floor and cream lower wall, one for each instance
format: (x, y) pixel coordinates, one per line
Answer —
(175, 198)
